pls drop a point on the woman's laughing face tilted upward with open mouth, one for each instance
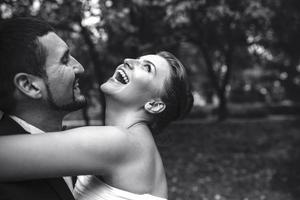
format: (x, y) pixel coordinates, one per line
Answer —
(137, 81)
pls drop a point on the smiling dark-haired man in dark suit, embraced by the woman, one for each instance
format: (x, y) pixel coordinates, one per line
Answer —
(38, 87)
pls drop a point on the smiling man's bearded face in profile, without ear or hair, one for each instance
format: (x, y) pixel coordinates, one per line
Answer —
(62, 74)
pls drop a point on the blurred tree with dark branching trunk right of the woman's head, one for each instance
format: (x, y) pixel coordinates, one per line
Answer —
(220, 29)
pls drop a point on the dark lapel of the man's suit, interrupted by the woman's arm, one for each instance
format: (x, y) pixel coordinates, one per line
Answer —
(8, 127)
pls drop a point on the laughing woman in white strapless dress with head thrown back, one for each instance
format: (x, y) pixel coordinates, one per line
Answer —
(142, 97)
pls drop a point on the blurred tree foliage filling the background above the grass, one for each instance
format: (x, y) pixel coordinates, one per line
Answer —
(237, 50)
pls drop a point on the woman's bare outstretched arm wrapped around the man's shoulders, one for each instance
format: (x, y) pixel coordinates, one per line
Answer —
(86, 150)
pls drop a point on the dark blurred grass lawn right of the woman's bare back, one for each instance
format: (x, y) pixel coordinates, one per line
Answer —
(236, 160)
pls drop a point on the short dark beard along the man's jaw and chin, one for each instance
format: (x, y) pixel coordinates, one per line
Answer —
(72, 106)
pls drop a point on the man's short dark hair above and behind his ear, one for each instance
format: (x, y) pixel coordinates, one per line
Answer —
(20, 51)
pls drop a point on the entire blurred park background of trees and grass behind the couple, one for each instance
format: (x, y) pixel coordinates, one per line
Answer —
(242, 57)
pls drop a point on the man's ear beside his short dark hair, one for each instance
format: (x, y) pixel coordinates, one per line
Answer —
(28, 84)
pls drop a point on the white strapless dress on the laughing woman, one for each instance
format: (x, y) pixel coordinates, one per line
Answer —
(91, 188)
